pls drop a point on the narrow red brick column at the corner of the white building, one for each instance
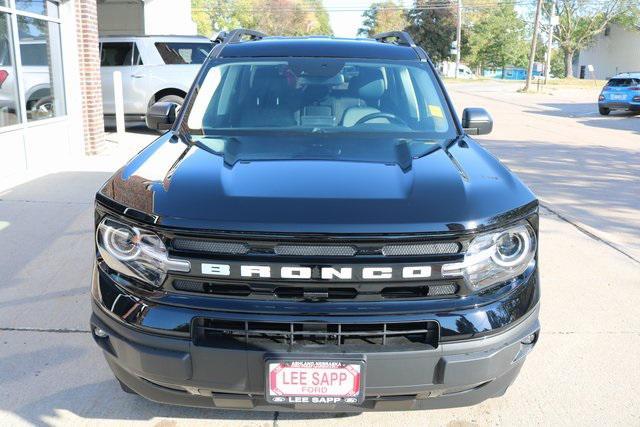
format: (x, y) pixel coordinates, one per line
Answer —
(89, 67)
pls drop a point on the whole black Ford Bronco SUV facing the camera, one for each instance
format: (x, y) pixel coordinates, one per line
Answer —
(317, 231)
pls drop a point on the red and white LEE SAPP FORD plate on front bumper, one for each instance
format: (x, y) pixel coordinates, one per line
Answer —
(315, 381)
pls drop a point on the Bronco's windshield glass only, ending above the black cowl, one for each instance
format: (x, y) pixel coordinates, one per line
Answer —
(320, 95)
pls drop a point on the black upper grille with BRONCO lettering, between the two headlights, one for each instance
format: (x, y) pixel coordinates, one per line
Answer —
(217, 264)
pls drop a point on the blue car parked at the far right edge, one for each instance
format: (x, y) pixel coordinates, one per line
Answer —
(622, 92)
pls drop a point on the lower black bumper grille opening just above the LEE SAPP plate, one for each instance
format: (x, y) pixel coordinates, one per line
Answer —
(216, 333)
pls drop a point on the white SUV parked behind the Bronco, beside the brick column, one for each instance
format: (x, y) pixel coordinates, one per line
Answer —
(154, 68)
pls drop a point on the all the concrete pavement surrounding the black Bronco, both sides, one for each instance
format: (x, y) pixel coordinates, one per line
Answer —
(585, 371)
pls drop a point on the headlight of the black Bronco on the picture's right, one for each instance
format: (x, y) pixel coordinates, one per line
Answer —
(495, 257)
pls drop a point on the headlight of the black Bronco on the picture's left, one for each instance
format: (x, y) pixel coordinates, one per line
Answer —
(135, 252)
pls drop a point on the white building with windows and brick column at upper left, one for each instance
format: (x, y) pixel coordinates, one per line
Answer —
(50, 91)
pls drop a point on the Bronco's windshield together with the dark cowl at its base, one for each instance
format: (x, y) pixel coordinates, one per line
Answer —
(319, 108)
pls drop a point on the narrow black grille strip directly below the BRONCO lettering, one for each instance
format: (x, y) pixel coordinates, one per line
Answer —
(316, 292)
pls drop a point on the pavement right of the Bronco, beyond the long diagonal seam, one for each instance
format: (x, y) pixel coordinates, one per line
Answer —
(584, 166)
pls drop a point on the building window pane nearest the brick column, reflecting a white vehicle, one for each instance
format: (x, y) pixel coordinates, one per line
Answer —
(41, 68)
